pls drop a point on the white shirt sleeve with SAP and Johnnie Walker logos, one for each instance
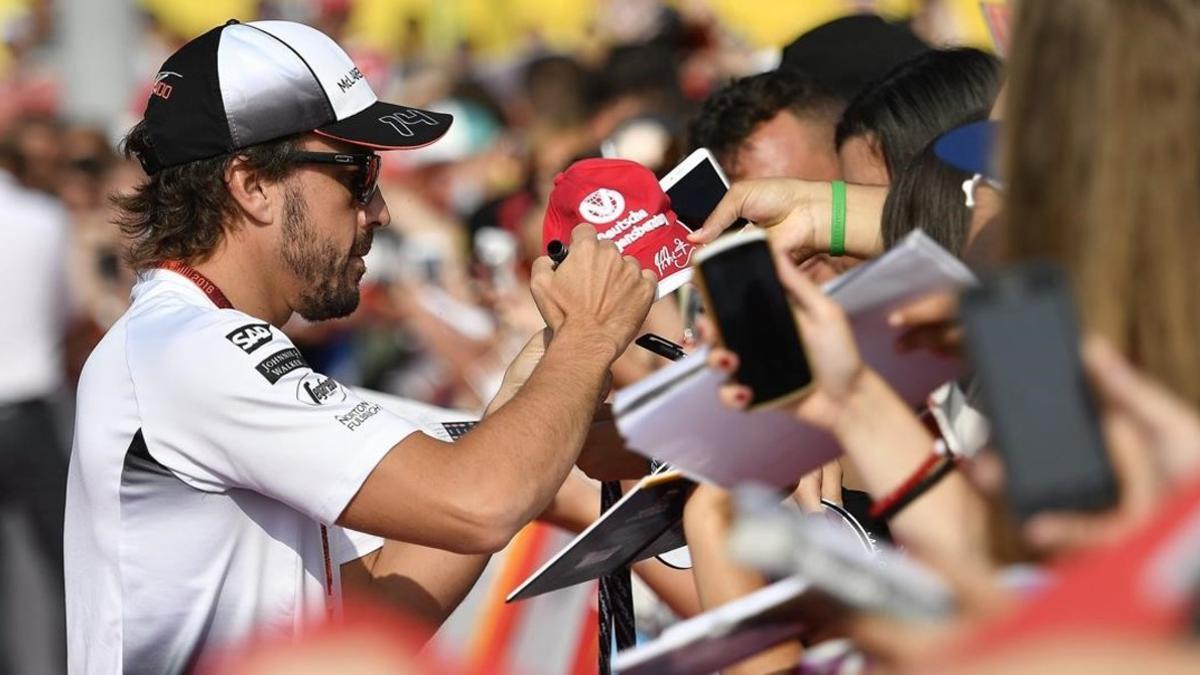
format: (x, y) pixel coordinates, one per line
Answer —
(227, 402)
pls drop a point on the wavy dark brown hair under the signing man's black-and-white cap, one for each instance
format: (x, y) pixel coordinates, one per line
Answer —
(179, 213)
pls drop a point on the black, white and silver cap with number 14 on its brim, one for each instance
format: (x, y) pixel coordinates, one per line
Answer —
(242, 85)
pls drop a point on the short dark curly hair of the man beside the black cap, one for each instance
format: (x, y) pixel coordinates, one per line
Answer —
(730, 116)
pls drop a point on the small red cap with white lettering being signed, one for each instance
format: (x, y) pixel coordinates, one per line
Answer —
(623, 201)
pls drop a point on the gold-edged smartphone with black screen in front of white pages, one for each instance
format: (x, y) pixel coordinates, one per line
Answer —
(753, 318)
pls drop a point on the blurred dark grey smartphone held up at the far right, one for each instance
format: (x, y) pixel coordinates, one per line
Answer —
(1023, 342)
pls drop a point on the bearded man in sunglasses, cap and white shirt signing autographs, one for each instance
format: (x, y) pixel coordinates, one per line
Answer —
(218, 483)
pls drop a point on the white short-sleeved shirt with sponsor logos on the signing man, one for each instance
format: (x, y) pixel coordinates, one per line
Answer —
(207, 456)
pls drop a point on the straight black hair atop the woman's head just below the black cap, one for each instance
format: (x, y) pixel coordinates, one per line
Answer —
(920, 100)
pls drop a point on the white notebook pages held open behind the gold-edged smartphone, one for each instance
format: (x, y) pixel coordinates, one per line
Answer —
(675, 415)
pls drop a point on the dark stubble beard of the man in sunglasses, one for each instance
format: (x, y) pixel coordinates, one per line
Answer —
(316, 262)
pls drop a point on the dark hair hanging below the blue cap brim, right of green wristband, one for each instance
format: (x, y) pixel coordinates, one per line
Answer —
(927, 194)
